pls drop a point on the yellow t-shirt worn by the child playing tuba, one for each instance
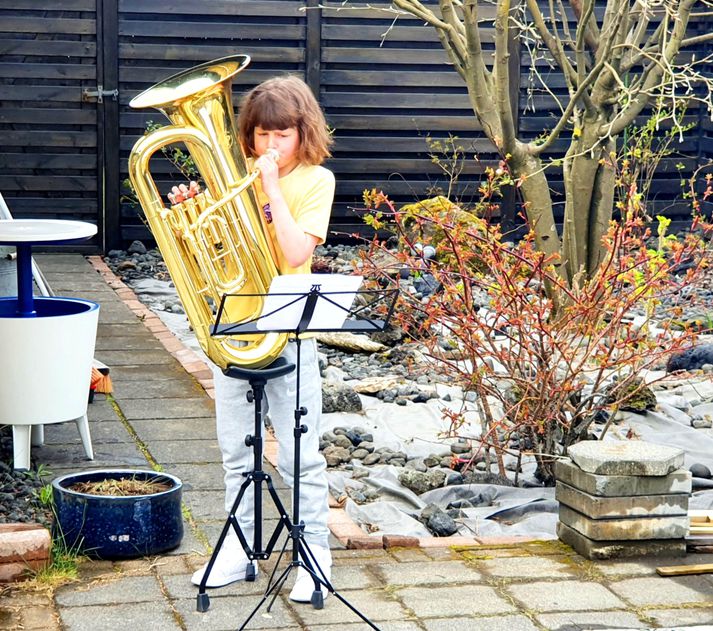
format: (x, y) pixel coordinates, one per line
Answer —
(309, 192)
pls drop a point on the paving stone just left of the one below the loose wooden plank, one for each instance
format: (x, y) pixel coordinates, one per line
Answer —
(572, 595)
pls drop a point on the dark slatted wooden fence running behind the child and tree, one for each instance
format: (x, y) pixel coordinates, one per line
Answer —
(67, 74)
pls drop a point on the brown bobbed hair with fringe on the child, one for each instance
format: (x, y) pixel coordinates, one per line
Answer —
(284, 102)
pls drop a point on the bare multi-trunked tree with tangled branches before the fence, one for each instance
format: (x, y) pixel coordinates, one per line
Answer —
(615, 63)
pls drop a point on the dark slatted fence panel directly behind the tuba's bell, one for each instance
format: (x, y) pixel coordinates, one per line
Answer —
(160, 38)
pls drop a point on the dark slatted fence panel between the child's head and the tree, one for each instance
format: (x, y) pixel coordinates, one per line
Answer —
(391, 95)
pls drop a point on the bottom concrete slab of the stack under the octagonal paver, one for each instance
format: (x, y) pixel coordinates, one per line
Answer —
(601, 550)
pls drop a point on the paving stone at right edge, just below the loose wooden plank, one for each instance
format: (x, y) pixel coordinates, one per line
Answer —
(671, 590)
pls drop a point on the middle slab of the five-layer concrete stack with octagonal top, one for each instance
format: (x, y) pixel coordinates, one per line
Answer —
(612, 507)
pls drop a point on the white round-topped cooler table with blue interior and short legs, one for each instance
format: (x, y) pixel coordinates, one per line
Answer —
(48, 344)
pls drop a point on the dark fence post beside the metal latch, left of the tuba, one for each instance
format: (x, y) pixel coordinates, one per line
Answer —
(109, 188)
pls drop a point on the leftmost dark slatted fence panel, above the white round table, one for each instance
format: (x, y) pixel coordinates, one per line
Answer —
(48, 166)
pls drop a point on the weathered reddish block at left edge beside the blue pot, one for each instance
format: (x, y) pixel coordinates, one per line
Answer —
(23, 548)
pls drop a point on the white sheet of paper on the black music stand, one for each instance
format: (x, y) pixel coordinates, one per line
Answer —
(326, 315)
